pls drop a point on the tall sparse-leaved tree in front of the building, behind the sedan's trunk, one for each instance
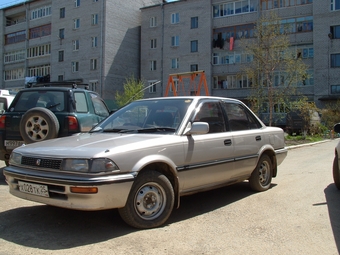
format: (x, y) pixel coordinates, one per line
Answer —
(275, 68)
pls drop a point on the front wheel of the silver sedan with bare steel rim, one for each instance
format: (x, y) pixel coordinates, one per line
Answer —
(150, 201)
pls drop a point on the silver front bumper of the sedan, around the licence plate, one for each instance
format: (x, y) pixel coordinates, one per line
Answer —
(113, 190)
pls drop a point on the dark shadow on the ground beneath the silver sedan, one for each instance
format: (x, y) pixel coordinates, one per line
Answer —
(52, 228)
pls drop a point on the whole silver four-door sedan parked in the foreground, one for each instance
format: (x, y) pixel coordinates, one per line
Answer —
(148, 154)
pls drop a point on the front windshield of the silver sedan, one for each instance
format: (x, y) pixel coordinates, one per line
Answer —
(159, 115)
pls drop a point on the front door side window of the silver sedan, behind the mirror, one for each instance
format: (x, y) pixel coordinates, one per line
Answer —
(211, 113)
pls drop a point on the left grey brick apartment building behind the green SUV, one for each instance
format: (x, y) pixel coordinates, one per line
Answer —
(94, 42)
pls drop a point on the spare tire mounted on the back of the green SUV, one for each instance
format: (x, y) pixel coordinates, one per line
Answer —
(38, 124)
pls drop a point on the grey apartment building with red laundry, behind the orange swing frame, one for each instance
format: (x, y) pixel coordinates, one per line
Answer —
(190, 35)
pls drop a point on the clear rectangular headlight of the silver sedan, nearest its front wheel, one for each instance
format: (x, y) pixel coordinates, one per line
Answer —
(90, 166)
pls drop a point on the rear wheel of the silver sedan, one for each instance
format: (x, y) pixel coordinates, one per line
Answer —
(261, 177)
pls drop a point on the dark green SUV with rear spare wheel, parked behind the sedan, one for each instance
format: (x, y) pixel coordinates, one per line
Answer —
(42, 113)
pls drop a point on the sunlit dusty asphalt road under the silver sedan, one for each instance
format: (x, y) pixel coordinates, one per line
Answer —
(300, 214)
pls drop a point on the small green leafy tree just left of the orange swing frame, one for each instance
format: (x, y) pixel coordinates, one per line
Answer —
(133, 90)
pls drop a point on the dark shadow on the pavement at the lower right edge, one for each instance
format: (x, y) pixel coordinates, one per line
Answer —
(333, 202)
